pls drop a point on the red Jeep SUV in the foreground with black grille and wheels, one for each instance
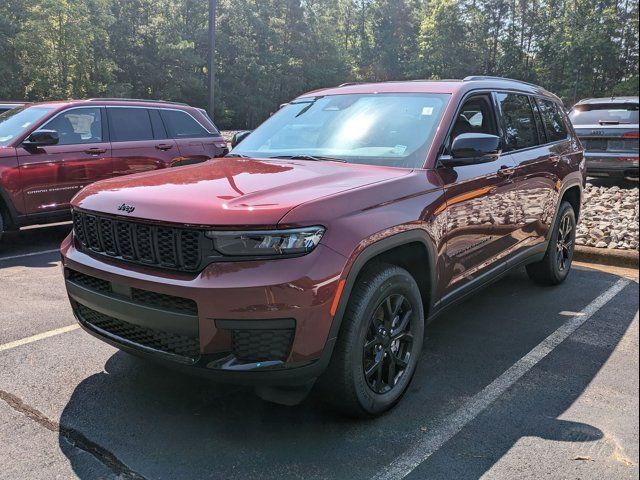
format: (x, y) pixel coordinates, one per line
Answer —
(320, 247)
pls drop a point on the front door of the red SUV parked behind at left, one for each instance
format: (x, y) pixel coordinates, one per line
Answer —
(52, 175)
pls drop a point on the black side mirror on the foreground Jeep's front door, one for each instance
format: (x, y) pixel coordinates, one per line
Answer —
(473, 148)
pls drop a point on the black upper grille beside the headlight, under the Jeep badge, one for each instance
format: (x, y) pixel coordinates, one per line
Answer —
(146, 244)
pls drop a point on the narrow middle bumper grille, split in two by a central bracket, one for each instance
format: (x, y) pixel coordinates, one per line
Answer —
(142, 297)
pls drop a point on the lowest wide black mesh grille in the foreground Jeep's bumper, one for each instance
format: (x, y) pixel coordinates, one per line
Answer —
(168, 342)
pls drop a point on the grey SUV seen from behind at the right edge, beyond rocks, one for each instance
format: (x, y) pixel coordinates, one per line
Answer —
(608, 129)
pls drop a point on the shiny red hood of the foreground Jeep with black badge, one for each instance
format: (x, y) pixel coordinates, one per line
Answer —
(228, 191)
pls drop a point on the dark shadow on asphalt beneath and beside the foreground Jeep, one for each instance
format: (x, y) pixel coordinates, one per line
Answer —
(163, 424)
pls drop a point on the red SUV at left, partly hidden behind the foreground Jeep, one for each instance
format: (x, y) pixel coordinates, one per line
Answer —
(49, 151)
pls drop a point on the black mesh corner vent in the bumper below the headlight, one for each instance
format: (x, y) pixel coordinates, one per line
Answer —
(261, 345)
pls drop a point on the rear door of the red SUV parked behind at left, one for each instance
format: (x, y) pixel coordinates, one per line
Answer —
(139, 141)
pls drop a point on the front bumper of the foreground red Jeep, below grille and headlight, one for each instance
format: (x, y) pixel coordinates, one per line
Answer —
(259, 322)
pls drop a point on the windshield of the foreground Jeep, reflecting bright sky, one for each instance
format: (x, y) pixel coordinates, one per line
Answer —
(376, 129)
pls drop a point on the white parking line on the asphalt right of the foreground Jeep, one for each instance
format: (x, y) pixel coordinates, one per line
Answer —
(453, 424)
